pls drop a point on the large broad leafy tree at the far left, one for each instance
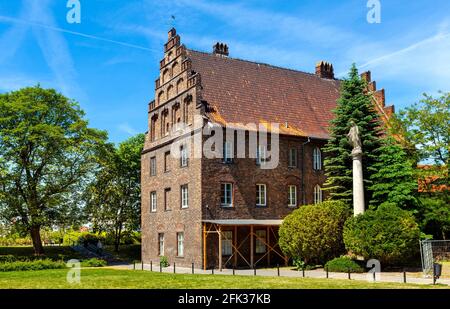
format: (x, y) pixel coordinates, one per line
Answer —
(47, 153)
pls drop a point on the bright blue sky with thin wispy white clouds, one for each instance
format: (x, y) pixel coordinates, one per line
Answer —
(109, 61)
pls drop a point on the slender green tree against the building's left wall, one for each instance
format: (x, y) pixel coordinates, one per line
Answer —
(113, 198)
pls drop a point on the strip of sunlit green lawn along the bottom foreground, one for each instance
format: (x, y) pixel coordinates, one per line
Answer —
(129, 279)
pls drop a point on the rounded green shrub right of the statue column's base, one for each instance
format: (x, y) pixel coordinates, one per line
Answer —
(388, 234)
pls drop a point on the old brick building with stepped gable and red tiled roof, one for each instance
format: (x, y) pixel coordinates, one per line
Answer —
(225, 211)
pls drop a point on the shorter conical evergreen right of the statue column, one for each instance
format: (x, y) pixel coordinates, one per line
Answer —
(393, 180)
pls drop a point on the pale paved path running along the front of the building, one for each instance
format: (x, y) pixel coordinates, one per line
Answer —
(411, 277)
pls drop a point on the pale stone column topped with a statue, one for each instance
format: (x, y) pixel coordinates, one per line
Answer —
(358, 185)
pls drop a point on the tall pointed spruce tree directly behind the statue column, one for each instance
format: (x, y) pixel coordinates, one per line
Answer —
(354, 104)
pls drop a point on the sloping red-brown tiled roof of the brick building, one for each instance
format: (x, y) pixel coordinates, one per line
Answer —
(247, 92)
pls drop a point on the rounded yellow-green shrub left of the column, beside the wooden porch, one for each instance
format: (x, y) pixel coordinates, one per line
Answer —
(314, 233)
